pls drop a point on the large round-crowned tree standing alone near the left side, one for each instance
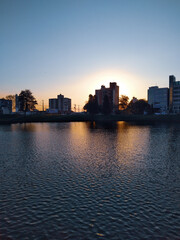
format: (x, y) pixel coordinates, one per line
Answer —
(27, 101)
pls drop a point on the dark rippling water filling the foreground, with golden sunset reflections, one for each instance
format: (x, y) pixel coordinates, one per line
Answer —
(83, 181)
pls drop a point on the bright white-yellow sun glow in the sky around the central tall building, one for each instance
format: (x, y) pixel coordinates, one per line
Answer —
(129, 84)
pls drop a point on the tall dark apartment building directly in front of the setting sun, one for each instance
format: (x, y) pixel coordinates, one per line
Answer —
(112, 92)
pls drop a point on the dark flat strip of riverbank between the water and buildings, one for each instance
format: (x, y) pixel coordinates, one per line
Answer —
(12, 119)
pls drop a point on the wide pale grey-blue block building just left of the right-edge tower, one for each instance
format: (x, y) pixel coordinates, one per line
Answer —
(158, 98)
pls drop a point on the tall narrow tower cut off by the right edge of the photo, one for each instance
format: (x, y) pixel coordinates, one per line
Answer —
(174, 95)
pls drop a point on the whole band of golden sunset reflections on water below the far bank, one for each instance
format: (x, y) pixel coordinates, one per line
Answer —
(104, 145)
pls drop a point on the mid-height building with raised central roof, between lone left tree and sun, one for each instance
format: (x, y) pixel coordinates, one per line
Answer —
(60, 104)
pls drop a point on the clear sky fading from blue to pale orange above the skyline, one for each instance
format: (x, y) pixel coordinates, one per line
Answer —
(72, 47)
